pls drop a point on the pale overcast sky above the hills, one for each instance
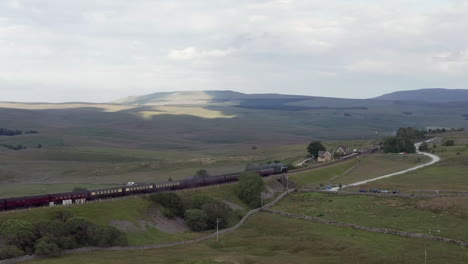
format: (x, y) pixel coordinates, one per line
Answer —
(101, 50)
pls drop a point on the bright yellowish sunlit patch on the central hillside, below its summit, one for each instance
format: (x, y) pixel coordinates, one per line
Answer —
(181, 110)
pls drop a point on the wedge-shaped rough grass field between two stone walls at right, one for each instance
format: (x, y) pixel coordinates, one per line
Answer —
(442, 216)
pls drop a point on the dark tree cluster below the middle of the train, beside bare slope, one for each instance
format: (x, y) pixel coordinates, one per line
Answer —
(200, 212)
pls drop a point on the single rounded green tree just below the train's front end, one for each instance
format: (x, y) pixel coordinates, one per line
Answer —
(249, 188)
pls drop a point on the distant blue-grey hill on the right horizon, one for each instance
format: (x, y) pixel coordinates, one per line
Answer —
(435, 95)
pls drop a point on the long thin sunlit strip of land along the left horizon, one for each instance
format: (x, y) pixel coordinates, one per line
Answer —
(104, 107)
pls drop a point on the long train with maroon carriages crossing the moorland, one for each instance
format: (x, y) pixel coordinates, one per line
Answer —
(120, 191)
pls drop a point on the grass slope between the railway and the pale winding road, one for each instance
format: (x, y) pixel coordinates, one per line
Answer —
(366, 167)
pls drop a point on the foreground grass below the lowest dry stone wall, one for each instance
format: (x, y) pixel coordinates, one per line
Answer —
(267, 238)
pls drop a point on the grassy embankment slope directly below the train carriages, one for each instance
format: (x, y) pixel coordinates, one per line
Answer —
(137, 212)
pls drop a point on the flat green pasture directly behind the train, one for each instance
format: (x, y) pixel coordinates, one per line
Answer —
(37, 171)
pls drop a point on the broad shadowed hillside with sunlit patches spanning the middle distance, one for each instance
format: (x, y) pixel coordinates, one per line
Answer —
(218, 120)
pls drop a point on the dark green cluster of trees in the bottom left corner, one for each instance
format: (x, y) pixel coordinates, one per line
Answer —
(50, 237)
